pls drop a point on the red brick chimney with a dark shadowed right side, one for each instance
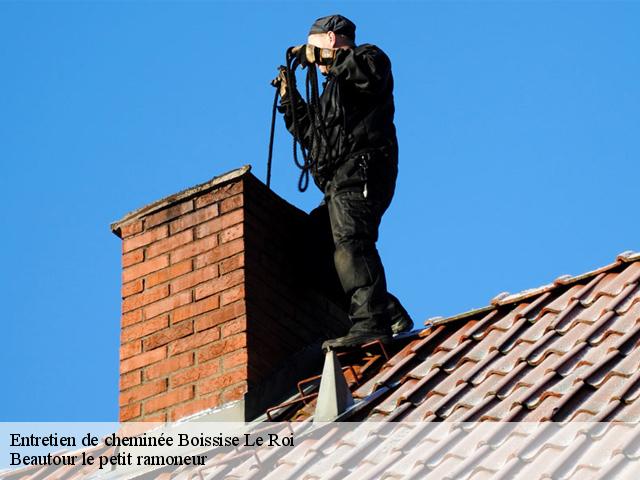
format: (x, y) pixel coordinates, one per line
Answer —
(219, 303)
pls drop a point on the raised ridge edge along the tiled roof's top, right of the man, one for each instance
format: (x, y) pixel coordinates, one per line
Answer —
(506, 298)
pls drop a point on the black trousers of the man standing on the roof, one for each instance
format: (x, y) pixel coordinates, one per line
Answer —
(355, 200)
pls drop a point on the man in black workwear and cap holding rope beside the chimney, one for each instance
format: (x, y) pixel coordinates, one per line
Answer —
(354, 151)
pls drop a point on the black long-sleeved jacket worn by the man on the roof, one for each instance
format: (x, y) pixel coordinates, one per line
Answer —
(357, 108)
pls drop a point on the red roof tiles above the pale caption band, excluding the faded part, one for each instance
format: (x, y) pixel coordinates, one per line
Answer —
(565, 351)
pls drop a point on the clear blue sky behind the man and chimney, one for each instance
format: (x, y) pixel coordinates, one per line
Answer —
(519, 143)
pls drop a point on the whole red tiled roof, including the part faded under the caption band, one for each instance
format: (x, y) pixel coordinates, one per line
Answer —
(565, 352)
